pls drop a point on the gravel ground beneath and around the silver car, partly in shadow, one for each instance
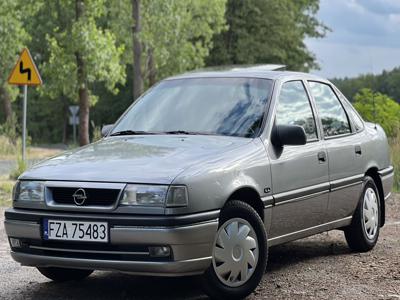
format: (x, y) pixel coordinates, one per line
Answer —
(319, 267)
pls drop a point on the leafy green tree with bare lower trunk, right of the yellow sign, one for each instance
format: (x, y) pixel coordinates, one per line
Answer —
(79, 54)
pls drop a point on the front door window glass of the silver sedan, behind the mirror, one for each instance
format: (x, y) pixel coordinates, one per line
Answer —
(294, 108)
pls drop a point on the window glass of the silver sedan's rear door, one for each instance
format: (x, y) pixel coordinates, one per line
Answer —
(333, 116)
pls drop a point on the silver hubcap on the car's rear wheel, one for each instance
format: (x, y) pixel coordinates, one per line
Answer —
(370, 213)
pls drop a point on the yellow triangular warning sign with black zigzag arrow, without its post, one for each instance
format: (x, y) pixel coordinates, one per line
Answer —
(25, 71)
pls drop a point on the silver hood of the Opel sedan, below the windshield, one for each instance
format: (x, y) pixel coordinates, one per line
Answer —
(136, 159)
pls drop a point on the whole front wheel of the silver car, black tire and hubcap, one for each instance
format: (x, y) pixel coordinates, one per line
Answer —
(220, 285)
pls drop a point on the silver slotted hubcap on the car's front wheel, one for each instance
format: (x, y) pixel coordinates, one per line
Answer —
(235, 253)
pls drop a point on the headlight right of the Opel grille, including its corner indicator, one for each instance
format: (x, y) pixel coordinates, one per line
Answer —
(154, 195)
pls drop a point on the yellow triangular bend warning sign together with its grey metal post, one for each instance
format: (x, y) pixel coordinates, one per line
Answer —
(25, 73)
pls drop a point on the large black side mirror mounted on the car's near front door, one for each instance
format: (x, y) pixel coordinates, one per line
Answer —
(288, 135)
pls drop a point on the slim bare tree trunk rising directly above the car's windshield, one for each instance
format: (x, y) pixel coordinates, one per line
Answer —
(137, 50)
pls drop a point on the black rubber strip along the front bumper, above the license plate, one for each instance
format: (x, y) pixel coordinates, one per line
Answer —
(113, 220)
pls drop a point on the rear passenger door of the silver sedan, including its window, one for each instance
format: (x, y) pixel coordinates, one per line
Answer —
(345, 151)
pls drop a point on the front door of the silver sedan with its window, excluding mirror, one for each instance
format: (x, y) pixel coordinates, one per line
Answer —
(300, 180)
